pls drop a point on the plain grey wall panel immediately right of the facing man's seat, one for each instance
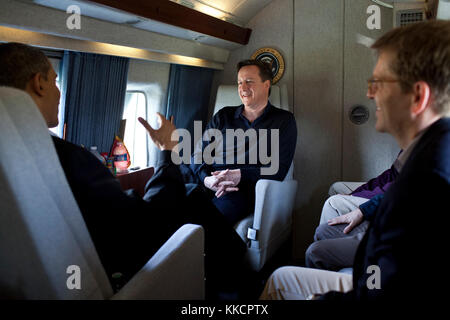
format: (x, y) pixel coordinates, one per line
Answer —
(318, 83)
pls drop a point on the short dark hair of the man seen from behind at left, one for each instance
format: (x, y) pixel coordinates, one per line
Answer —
(19, 63)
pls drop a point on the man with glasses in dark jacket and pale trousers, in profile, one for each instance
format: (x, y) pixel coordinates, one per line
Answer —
(400, 256)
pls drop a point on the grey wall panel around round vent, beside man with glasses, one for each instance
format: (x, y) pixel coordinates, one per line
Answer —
(366, 153)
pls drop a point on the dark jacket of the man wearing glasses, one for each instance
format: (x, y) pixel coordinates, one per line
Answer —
(407, 239)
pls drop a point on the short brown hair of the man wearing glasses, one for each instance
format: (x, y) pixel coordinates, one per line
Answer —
(422, 53)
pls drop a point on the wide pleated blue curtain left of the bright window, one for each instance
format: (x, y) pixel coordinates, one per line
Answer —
(94, 98)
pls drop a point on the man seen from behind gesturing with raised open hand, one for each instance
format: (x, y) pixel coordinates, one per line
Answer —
(126, 229)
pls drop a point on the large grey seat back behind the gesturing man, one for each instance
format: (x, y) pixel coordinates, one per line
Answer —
(42, 230)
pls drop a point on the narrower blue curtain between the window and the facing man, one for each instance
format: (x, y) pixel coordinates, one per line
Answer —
(188, 96)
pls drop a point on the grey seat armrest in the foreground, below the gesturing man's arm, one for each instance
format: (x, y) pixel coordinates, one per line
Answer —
(175, 272)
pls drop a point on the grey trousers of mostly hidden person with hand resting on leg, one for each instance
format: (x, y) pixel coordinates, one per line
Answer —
(332, 249)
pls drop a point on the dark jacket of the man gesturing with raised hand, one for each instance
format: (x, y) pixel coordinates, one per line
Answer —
(125, 229)
